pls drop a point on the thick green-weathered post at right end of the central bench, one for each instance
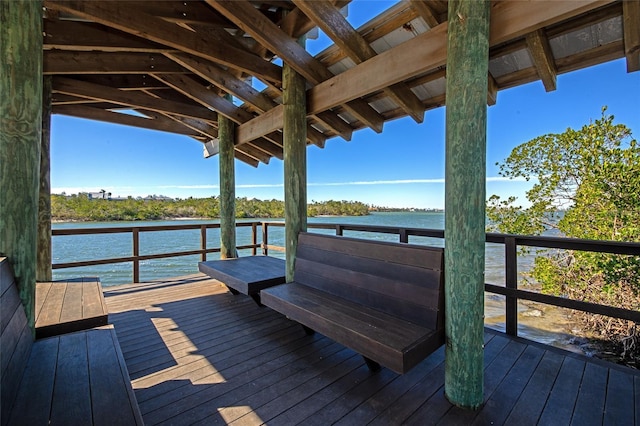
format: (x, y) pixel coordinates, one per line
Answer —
(466, 118)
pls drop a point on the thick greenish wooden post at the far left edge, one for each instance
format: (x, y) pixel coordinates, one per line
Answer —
(20, 126)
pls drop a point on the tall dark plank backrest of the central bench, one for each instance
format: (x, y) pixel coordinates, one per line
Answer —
(403, 280)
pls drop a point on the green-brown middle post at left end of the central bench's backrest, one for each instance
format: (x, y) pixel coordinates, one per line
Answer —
(295, 162)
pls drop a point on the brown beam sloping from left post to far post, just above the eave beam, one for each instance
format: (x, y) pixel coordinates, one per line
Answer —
(131, 99)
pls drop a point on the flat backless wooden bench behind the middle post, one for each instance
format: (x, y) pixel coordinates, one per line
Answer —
(247, 275)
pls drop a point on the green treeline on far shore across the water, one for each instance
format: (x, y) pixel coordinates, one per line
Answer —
(82, 208)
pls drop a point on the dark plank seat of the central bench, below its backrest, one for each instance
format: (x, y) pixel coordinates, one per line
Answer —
(389, 340)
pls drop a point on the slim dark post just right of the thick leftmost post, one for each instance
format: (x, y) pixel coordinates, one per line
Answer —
(43, 265)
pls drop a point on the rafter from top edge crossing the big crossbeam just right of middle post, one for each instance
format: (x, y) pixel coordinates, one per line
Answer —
(250, 20)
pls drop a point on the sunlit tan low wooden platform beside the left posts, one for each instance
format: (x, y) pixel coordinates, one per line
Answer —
(68, 306)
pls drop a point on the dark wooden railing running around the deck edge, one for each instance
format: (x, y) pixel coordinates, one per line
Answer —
(511, 243)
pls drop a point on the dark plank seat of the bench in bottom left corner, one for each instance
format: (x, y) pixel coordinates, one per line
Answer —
(77, 378)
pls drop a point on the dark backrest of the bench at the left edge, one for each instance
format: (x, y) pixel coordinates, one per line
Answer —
(15, 339)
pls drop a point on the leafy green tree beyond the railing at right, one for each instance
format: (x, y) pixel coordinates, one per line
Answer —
(587, 185)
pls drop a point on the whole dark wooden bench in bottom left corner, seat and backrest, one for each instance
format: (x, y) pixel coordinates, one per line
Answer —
(76, 378)
